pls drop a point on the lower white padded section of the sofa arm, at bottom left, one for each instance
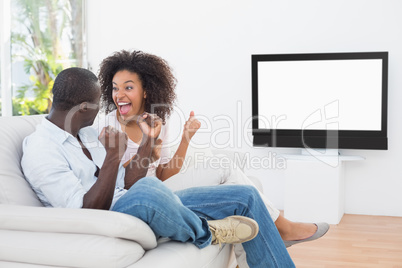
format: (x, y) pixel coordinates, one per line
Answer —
(68, 250)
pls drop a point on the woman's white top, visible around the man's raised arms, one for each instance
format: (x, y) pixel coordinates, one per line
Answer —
(111, 120)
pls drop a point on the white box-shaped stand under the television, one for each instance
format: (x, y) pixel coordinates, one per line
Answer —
(315, 187)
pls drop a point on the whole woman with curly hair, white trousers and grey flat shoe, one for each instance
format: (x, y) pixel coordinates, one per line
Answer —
(136, 82)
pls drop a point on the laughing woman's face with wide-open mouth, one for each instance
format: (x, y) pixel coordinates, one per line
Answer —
(128, 94)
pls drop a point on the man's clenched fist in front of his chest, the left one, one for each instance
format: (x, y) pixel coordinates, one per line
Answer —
(114, 141)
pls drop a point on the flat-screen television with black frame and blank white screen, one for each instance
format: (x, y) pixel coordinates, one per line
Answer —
(320, 100)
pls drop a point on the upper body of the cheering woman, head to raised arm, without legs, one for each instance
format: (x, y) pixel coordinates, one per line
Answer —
(131, 84)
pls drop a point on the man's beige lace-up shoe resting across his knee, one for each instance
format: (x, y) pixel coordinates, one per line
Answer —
(233, 230)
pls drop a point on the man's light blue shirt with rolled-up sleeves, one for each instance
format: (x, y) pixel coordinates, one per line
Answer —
(57, 169)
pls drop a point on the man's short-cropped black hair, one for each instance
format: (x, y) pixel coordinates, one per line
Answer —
(73, 86)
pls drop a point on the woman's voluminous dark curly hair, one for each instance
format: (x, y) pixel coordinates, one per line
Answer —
(155, 74)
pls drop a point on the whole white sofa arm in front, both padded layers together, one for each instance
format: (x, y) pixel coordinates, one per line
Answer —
(72, 237)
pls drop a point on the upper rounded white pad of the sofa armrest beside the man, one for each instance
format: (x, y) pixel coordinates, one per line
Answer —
(77, 221)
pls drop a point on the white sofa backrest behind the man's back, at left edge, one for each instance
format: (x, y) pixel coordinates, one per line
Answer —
(14, 189)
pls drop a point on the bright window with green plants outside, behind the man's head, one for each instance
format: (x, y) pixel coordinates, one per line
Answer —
(40, 38)
